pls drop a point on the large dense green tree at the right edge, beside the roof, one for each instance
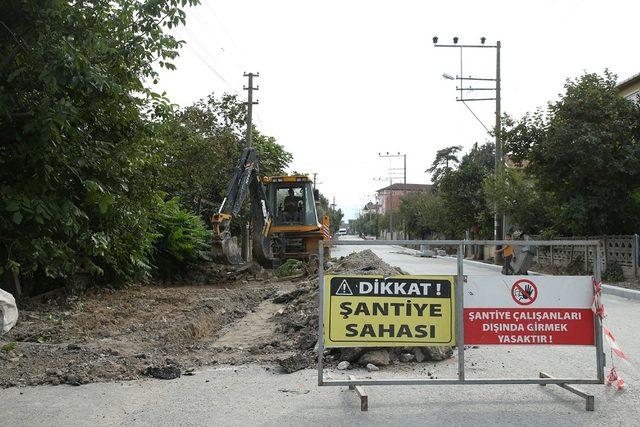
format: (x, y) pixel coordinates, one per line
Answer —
(584, 153)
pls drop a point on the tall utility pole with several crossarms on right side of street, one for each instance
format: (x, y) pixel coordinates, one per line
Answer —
(498, 218)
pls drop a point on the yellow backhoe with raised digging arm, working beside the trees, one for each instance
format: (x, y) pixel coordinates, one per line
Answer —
(283, 211)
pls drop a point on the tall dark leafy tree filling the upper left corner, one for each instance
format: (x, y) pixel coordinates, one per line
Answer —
(76, 131)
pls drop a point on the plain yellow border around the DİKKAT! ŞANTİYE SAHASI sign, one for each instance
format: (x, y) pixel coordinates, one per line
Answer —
(329, 343)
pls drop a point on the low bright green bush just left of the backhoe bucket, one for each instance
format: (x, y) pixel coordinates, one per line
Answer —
(181, 241)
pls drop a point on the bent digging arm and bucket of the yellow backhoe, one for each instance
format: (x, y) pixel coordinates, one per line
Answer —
(245, 181)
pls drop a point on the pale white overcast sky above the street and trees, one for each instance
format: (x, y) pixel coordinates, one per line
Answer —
(341, 81)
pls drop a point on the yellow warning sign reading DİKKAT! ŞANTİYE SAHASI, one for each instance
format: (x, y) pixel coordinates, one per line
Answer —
(395, 311)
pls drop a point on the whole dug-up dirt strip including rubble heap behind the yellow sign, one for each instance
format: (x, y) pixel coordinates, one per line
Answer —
(169, 329)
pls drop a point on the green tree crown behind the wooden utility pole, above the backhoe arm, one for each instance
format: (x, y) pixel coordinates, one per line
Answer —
(199, 147)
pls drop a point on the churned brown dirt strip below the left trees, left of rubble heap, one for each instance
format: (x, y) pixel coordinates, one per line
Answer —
(160, 331)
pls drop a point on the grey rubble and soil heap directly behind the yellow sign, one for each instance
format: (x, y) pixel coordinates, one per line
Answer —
(298, 321)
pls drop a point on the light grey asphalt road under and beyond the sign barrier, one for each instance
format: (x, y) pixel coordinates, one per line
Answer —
(232, 395)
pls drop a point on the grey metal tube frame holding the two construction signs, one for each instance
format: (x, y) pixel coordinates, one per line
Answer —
(543, 379)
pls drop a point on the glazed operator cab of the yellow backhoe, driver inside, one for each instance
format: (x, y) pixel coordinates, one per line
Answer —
(291, 201)
